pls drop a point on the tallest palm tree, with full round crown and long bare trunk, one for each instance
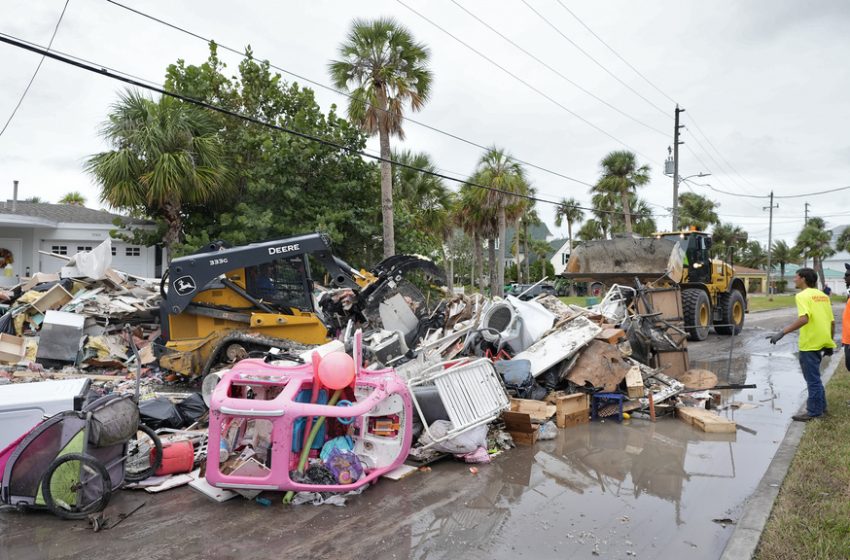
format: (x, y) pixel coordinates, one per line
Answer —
(384, 69)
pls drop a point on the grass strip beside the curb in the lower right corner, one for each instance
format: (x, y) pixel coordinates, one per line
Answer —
(811, 516)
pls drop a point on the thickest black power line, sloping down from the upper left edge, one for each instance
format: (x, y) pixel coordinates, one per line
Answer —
(100, 70)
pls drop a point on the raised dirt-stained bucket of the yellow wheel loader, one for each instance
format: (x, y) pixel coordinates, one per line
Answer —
(622, 260)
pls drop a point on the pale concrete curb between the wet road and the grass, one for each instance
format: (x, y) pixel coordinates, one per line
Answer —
(747, 534)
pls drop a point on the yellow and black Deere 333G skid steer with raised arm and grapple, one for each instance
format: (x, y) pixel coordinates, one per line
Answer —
(222, 304)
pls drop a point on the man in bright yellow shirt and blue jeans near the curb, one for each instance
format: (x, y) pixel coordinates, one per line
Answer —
(817, 329)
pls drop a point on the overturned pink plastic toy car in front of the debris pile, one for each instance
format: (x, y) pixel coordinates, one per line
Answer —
(268, 395)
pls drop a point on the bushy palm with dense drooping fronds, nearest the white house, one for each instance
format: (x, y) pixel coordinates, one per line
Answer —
(166, 154)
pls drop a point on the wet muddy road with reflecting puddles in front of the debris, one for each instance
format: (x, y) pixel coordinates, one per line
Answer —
(601, 490)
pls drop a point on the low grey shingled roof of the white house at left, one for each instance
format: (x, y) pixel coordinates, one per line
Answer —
(42, 213)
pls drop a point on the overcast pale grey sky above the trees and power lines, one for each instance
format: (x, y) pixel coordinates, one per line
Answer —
(764, 85)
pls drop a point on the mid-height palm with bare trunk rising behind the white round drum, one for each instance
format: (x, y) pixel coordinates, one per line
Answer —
(504, 177)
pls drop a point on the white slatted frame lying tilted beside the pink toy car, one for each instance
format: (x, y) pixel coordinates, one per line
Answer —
(470, 390)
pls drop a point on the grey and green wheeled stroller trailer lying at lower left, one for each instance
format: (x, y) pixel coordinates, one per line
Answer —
(73, 461)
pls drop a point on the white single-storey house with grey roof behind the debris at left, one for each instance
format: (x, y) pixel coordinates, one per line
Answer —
(29, 227)
